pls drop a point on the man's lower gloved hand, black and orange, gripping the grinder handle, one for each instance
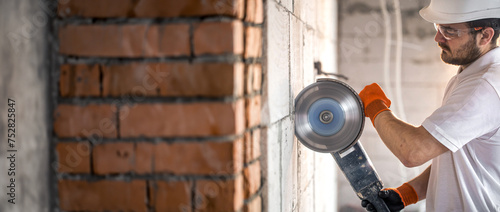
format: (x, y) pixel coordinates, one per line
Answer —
(395, 198)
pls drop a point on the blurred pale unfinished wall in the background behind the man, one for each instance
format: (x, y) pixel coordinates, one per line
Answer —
(362, 39)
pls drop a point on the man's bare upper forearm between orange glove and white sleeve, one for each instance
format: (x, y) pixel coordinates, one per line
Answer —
(413, 146)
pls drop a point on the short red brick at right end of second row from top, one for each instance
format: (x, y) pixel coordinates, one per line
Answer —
(218, 38)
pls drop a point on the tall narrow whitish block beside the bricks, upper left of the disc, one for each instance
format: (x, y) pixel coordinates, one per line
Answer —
(278, 78)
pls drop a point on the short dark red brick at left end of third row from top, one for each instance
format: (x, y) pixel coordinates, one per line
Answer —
(79, 80)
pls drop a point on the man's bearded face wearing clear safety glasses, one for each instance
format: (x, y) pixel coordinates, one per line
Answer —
(461, 50)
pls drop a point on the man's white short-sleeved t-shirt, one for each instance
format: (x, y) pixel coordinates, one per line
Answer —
(467, 178)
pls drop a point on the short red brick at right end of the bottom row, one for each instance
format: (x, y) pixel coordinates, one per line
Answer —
(219, 195)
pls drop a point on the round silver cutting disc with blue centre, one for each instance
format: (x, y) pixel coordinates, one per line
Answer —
(329, 116)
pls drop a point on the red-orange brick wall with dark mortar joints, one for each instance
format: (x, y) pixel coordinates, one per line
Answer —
(157, 105)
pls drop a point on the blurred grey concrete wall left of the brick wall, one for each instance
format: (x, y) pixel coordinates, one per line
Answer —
(24, 78)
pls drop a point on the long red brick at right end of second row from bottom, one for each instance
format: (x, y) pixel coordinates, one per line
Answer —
(204, 158)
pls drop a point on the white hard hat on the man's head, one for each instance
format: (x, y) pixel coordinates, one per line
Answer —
(459, 11)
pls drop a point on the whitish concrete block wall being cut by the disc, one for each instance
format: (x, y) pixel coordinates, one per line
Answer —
(297, 33)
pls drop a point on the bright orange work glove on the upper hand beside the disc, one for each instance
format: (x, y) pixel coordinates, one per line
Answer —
(374, 101)
